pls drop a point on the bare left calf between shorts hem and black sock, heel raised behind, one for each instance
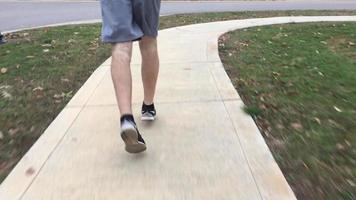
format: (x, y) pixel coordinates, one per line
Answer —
(121, 75)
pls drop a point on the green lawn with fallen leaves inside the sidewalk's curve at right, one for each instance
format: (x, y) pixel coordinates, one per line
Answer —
(301, 79)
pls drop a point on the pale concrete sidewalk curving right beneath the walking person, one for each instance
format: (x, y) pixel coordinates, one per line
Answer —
(202, 145)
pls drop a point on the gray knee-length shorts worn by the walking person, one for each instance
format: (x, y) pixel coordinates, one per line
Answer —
(129, 20)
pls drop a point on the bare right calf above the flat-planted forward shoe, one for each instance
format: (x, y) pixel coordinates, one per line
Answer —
(150, 67)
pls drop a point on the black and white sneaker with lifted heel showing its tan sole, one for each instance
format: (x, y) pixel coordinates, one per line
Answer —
(134, 142)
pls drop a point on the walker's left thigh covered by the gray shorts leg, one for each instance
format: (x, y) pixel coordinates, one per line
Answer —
(118, 25)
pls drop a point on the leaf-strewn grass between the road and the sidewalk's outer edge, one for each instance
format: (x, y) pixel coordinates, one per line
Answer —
(45, 67)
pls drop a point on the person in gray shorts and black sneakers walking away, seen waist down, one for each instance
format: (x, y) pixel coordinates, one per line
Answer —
(126, 21)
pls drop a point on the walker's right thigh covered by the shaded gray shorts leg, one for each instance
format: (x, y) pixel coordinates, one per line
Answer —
(146, 15)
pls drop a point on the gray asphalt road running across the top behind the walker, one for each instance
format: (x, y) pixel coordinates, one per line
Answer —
(18, 15)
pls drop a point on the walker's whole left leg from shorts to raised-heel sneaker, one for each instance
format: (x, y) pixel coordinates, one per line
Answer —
(119, 29)
